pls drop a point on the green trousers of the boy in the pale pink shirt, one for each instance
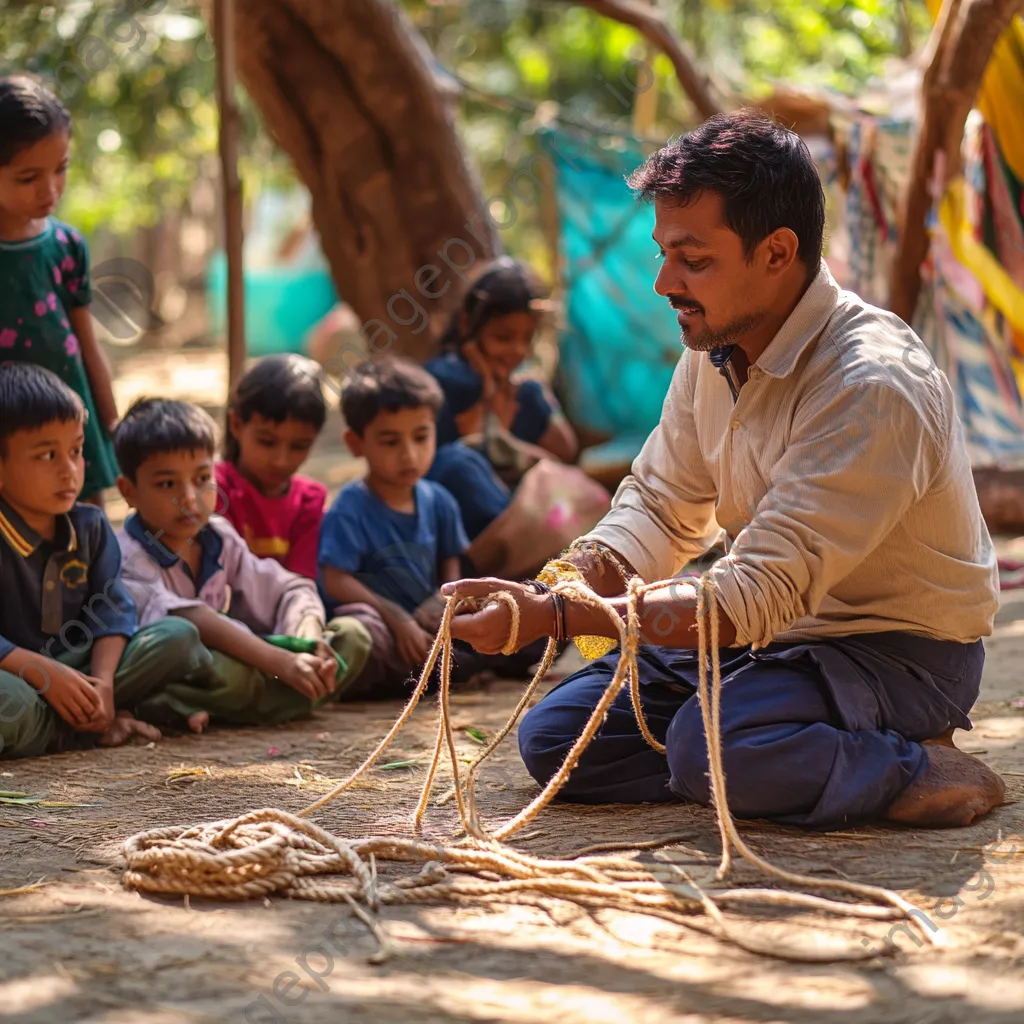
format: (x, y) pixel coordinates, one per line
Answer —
(236, 694)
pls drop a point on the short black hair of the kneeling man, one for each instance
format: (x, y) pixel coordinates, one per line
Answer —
(763, 173)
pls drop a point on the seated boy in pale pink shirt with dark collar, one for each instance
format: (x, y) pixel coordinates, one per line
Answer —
(179, 562)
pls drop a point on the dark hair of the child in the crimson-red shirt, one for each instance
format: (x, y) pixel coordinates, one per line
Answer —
(279, 388)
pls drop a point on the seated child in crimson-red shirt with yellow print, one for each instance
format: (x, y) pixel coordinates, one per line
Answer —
(274, 417)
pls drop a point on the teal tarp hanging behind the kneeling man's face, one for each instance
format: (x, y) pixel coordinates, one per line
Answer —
(621, 343)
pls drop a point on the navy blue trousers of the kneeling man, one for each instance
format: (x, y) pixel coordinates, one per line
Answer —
(824, 735)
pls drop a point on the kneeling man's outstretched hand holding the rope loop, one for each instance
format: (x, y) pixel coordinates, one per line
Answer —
(488, 630)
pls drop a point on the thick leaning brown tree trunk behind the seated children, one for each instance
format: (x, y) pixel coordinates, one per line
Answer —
(347, 90)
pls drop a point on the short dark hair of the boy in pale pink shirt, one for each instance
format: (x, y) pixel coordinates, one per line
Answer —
(158, 426)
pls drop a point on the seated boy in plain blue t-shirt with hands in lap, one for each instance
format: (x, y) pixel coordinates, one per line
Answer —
(391, 540)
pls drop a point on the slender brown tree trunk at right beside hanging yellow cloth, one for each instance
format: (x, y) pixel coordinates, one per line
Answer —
(958, 55)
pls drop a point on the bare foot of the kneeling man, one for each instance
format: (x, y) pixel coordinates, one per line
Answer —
(955, 790)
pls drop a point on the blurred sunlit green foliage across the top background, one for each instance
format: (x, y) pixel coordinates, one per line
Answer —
(142, 90)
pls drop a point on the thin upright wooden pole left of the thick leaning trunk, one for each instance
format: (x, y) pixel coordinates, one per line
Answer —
(224, 31)
